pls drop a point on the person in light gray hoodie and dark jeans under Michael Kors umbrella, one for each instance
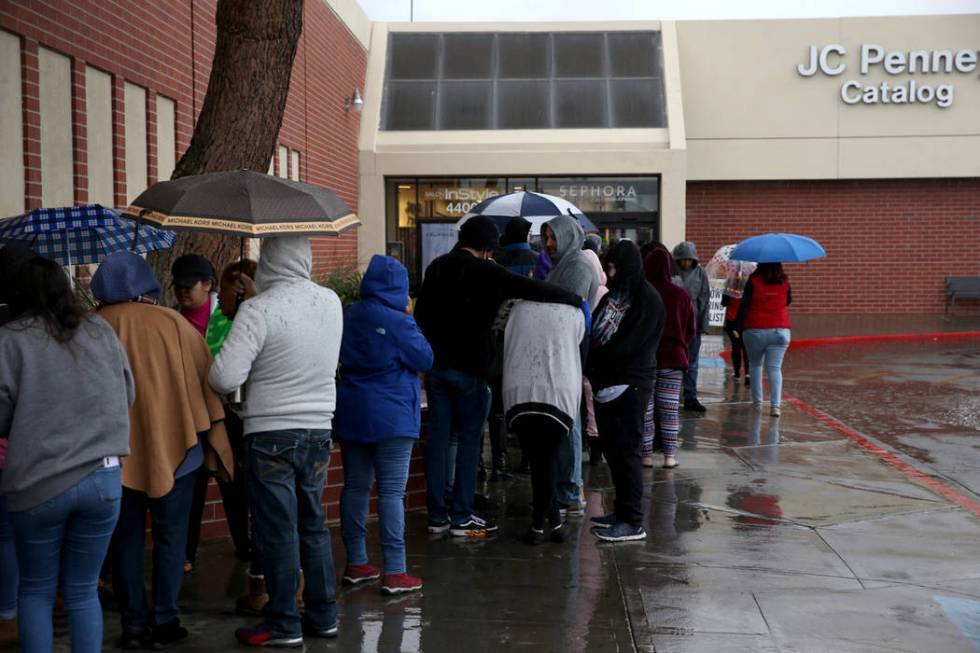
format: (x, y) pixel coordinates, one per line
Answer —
(284, 346)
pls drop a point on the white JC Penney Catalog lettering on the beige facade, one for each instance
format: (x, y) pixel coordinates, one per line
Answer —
(832, 60)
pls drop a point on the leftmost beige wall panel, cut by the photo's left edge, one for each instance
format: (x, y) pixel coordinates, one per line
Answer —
(11, 128)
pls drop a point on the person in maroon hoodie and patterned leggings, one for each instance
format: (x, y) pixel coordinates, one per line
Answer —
(672, 359)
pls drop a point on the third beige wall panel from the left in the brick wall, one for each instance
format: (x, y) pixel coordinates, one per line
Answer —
(98, 110)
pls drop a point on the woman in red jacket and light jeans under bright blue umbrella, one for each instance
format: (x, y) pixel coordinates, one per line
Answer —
(763, 322)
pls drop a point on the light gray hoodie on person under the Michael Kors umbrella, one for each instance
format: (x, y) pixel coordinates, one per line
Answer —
(284, 344)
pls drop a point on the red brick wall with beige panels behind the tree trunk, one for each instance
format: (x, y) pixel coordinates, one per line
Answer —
(166, 46)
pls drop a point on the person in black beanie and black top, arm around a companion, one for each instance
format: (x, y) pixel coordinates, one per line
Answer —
(460, 296)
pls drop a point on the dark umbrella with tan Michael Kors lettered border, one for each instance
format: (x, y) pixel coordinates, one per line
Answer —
(242, 203)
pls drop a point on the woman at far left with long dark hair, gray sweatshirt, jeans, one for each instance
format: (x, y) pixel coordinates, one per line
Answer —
(61, 366)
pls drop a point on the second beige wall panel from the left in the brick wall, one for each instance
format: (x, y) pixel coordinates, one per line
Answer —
(57, 174)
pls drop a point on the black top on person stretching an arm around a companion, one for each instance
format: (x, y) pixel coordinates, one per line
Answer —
(458, 301)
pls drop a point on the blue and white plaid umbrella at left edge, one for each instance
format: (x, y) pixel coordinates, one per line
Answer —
(78, 235)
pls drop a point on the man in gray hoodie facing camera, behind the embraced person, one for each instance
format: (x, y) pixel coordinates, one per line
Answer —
(563, 239)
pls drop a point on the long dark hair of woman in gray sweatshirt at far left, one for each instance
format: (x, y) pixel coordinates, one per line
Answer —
(34, 286)
